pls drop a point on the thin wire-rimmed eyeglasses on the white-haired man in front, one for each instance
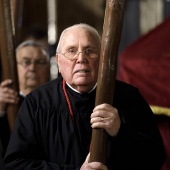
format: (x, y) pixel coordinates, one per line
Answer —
(73, 54)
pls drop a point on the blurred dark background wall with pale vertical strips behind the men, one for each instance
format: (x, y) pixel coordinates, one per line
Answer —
(47, 18)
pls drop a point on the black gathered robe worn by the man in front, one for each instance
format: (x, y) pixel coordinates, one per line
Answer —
(46, 138)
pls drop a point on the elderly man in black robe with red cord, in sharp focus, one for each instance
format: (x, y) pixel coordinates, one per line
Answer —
(54, 125)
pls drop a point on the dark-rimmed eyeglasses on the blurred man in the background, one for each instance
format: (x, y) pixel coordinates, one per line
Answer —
(37, 63)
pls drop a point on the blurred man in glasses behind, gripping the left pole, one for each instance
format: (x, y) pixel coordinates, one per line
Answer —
(33, 71)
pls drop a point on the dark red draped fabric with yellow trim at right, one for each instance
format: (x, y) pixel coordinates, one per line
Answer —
(146, 65)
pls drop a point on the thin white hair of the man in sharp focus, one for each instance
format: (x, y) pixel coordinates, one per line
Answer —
(81, 25)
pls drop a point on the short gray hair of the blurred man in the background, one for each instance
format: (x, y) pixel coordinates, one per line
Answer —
(34, 43)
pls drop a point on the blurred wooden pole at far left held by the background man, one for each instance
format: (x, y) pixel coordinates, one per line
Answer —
(8, 58)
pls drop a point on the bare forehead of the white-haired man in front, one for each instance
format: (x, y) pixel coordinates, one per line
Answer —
(79, 36)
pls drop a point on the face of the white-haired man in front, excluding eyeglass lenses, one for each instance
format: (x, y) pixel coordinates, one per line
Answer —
(82, 72)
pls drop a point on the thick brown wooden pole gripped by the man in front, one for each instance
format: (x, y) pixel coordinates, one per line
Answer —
(107, 71)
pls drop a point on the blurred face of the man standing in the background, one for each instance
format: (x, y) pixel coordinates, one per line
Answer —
(33, 68)
